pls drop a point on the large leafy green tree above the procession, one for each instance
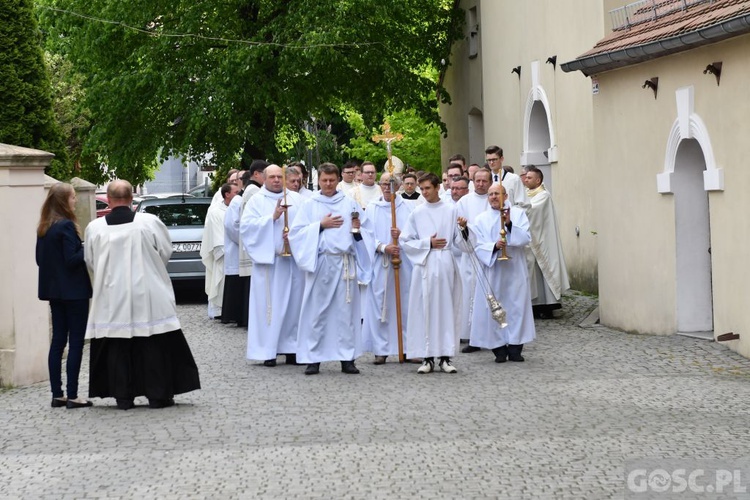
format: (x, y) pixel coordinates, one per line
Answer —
(233, 78)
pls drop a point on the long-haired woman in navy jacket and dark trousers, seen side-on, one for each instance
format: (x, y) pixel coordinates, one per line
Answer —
(64, 282)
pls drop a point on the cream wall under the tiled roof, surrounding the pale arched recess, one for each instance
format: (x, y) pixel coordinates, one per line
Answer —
(637, 236)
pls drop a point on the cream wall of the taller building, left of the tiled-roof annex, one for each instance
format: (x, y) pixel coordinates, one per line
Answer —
(516, 33)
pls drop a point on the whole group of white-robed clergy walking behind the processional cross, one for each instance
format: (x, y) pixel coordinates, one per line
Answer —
(311, 273)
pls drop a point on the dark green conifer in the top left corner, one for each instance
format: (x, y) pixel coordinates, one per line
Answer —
(26, 116)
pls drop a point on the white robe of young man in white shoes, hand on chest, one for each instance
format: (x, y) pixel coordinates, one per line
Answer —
(434, 295)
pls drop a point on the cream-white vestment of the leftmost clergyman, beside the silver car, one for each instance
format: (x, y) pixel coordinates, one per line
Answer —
(212, 256)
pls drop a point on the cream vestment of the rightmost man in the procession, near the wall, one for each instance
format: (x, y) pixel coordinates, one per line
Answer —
(547, 271)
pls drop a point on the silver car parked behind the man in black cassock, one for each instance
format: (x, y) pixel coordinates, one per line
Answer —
(184, 218)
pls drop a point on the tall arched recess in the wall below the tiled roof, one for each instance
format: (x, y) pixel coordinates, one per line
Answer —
(692, 240)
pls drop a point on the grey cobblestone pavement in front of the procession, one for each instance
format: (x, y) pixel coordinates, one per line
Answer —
(560, 425)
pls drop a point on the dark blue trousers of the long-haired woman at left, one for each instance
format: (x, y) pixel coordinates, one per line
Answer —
(69, 319)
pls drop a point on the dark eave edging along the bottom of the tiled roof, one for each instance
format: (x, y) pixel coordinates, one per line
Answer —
(632, 55)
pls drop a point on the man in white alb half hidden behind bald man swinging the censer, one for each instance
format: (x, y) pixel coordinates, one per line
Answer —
(469, 207)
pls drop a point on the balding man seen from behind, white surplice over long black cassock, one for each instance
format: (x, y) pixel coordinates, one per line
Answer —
(137, 346)
